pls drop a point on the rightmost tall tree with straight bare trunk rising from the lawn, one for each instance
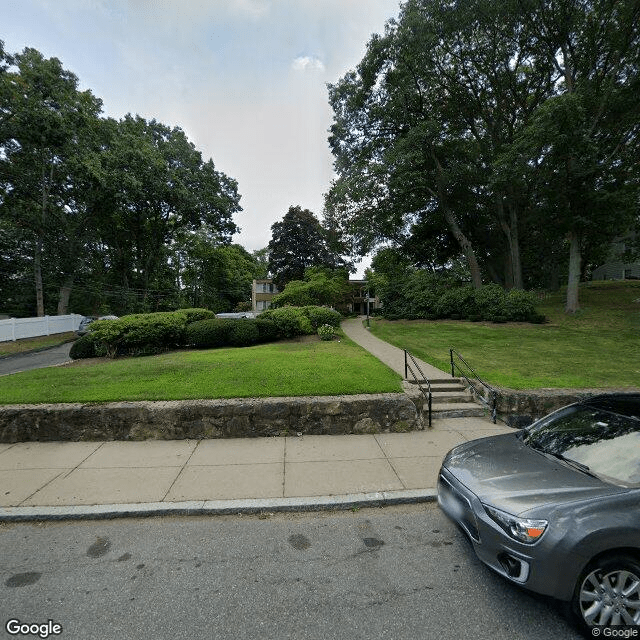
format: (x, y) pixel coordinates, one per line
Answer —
(581, 147)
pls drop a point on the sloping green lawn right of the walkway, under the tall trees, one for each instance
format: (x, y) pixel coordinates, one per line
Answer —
(599, 347)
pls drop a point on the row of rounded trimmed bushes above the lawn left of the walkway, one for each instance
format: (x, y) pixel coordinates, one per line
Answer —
(146, 334)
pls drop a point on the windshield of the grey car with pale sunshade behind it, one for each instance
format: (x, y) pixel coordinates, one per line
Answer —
(607, 443)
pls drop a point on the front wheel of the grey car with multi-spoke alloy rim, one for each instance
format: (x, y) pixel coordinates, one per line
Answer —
(608, 592)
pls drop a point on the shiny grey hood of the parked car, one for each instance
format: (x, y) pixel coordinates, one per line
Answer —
(502, 471)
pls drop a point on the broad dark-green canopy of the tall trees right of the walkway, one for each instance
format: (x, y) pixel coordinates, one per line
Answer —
(501, 132)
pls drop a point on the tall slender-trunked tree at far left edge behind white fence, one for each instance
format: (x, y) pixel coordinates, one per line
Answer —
(45, 132)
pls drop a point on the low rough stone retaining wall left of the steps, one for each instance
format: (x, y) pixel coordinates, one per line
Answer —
(209, 418)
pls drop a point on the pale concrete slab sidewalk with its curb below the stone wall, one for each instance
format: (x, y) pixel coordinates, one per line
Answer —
(41, 480)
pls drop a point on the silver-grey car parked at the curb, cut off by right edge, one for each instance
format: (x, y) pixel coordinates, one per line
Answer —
(555, 507)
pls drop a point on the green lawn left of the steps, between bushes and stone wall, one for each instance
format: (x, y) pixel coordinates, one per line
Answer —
(279, 369)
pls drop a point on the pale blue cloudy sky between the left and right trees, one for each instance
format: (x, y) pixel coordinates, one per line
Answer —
(245, 79)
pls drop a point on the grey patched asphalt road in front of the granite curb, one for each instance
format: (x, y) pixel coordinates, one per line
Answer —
(397, 572)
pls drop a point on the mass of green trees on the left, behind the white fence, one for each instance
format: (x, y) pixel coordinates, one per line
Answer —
(105, 215)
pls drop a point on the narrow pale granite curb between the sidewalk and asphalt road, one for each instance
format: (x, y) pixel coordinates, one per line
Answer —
(216, 507)
